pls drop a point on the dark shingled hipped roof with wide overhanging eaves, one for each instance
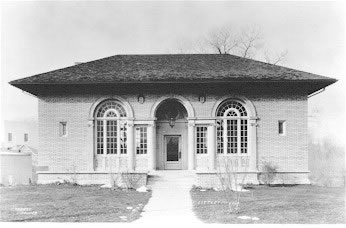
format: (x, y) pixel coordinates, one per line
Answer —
(185, 68)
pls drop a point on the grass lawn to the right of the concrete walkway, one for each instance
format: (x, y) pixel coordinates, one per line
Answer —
(298, 204)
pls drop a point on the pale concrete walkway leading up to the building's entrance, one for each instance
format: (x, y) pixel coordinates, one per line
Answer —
(171, 201)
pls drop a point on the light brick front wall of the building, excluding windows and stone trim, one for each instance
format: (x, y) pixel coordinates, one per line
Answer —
(75, 153)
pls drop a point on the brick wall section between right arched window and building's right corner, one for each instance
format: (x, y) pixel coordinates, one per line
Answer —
(289, 152)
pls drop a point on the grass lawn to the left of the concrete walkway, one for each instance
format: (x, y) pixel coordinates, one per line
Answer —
(67, 203)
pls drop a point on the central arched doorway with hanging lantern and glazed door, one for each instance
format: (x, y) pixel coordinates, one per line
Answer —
(171, 135)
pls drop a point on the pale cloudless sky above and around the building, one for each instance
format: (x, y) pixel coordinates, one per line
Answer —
(37, 37)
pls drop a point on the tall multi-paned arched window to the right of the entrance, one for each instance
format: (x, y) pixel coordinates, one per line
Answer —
(232, 128)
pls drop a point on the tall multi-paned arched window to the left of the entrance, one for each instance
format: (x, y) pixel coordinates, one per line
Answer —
(110, 128)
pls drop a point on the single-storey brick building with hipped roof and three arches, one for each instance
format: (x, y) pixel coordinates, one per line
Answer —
(138, 113)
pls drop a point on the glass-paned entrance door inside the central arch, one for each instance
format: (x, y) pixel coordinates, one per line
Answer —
(173, 152)
